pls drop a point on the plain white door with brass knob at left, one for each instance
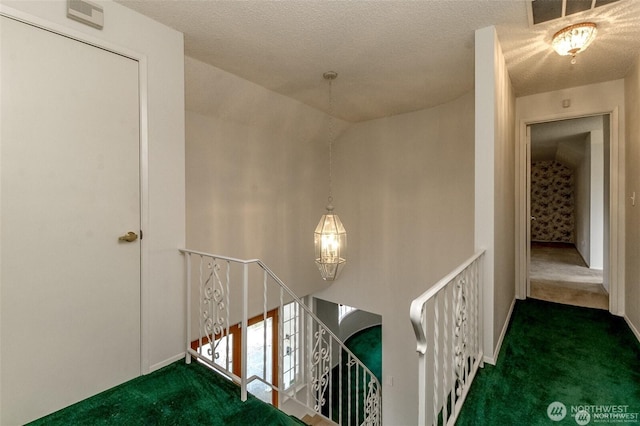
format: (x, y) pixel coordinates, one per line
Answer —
(69, 158)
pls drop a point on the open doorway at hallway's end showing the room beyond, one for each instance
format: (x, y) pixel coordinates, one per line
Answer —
(568, 238)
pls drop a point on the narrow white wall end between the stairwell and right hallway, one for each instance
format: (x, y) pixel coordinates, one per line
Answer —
(494, 181)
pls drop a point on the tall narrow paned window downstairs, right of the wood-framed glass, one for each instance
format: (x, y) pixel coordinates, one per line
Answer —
(290, 344)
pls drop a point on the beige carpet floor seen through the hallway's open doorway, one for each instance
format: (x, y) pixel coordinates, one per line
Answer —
(558, 274)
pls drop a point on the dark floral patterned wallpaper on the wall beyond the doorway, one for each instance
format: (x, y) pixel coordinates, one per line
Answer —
(552, 202)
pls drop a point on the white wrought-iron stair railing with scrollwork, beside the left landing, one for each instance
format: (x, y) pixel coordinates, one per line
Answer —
(322, 344)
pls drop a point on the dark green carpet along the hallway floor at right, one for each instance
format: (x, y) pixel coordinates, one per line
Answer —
(586, 359)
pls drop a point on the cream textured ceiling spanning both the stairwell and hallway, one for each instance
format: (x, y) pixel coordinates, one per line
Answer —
(391, 56)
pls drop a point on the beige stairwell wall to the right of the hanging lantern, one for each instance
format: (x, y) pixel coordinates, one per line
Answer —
(404, 191)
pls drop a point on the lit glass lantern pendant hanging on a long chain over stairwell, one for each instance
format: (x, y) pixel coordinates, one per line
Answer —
(330, 237)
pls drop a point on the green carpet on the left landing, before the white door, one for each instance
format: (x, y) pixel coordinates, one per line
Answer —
(178, 394)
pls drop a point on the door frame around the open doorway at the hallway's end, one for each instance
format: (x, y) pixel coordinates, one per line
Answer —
(616, 211)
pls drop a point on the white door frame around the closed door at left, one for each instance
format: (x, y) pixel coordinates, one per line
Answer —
(144, 150)
